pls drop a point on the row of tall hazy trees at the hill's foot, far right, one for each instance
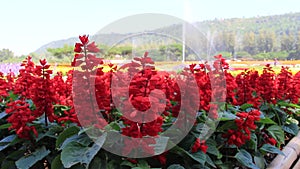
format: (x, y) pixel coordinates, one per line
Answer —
(260, 45)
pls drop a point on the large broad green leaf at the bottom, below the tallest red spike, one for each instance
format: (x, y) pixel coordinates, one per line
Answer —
(74, 152)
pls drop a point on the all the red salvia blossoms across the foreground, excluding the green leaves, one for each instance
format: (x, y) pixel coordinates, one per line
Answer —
(39, 93)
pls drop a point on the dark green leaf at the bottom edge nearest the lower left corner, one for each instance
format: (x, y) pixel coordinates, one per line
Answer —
(28, 161)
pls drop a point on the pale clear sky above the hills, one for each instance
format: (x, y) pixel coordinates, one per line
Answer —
(26, 25)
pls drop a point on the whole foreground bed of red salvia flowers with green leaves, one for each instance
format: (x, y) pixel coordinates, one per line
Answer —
(82, 121)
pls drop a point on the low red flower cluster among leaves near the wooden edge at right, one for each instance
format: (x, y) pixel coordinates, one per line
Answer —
(245, 122)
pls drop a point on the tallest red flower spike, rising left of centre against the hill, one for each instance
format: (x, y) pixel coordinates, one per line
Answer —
(84, 83)
